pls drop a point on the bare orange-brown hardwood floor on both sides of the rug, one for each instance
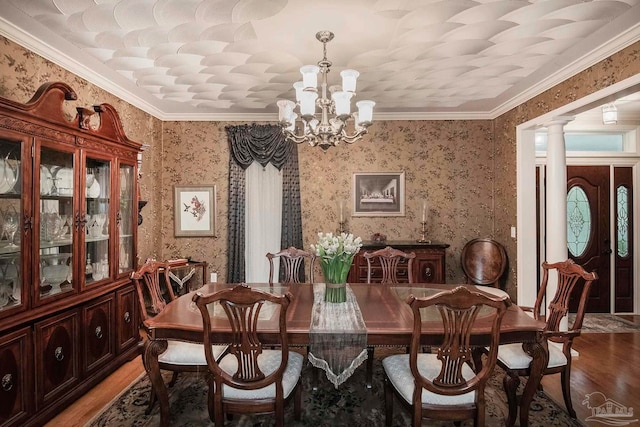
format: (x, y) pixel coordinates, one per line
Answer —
(607, 363)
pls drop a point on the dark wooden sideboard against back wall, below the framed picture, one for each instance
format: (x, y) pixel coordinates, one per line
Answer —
(429, 265)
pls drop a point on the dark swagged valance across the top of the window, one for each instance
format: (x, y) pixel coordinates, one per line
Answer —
(260, 143)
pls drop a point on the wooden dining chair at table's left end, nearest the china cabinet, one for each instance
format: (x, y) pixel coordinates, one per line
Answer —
(154, 294)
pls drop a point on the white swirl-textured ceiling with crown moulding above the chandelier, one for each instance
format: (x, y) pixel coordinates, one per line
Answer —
(233, 59)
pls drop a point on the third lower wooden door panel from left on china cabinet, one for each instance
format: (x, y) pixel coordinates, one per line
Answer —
(98, 321)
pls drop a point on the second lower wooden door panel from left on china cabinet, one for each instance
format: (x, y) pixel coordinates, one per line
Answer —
(57, 356)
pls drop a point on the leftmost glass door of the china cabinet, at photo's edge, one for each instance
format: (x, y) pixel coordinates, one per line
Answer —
(10, 217)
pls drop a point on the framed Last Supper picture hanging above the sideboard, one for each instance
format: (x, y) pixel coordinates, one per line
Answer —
(378, 194)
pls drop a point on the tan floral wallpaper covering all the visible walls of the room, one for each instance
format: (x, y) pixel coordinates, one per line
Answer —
(466, 169)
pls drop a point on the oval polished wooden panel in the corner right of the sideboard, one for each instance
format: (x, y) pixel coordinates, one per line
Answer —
(483, 262)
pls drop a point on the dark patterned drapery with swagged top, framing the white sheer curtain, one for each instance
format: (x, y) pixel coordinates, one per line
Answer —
(263, 144)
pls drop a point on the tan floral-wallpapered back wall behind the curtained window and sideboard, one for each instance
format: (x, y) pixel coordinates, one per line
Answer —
(449, 163)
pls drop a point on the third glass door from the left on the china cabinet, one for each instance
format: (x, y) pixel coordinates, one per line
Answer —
(98, 192)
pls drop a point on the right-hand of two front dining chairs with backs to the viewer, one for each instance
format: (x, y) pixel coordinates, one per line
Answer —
(443, 386)
